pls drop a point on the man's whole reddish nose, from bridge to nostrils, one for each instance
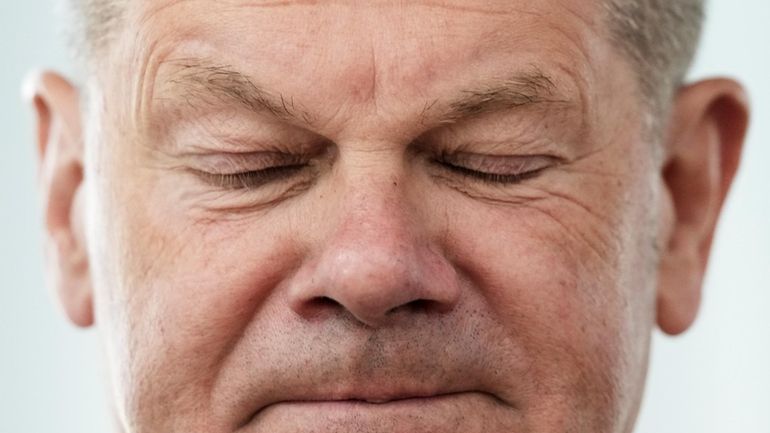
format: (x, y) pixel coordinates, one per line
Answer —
(377, 264)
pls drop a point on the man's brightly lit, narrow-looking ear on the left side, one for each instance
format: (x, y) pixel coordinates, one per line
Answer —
(60, 158)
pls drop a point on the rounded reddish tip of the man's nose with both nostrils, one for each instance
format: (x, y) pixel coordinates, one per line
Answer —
(375, 284)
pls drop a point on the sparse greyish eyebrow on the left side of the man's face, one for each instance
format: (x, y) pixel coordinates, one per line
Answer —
(197, 81)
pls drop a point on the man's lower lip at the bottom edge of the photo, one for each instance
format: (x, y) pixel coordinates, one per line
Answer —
(459, 412)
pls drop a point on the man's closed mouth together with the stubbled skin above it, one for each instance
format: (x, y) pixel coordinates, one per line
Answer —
(391, 372)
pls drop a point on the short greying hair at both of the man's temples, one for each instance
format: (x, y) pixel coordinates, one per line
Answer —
(658, 37)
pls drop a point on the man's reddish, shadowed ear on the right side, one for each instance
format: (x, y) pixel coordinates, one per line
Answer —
(707, 127)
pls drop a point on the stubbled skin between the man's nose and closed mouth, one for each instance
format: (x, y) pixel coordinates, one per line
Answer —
(345, 364)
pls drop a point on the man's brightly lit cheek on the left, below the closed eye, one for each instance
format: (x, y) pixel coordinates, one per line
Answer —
(174, 292)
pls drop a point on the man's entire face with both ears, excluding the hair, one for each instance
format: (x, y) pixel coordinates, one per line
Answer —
(378, 288)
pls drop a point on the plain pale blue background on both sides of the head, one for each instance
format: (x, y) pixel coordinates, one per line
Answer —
(715, 379)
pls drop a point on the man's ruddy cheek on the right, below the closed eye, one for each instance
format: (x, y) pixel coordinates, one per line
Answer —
(569, 278)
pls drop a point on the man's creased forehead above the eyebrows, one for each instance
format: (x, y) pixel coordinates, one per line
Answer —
(371, 57)
